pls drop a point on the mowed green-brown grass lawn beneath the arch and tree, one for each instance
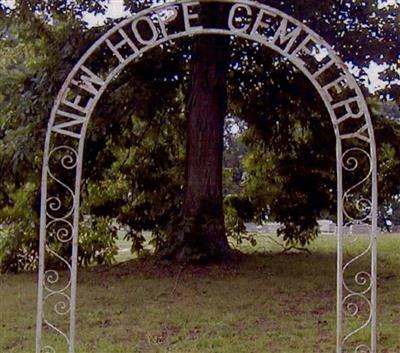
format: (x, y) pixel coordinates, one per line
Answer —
(266, 302)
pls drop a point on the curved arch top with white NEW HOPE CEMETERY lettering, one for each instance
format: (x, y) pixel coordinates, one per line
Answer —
(272, 28)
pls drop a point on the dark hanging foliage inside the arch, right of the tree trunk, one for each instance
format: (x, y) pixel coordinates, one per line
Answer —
(290, 168)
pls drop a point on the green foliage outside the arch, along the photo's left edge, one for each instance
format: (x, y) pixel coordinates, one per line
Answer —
(34, 60)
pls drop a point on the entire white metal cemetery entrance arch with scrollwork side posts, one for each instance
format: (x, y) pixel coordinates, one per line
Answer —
(127, 42)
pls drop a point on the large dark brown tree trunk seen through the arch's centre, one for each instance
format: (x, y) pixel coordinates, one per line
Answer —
(203, 236)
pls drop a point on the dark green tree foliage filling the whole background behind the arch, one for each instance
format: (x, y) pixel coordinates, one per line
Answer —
(135, 154)
